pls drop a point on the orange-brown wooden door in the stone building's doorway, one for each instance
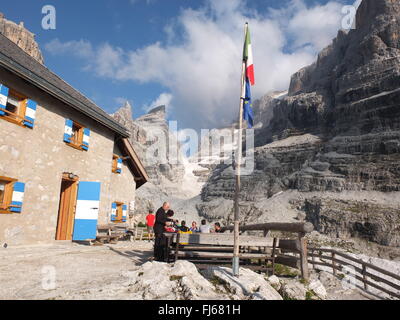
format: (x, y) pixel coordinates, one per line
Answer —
(66, 212)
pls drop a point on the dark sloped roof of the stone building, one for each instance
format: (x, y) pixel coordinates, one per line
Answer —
(14, 59)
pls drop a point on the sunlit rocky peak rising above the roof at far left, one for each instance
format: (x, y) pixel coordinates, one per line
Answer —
(21, 36)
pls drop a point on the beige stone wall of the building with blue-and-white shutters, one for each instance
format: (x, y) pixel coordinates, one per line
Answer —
(39, 157)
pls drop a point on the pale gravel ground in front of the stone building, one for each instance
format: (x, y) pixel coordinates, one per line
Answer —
(80, 272)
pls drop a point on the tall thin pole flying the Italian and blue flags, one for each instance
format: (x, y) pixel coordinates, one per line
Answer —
(235, 263)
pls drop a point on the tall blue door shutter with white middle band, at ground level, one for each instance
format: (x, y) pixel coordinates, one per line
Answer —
(87, 211)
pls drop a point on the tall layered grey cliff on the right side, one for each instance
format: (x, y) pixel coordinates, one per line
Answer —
(336, 132)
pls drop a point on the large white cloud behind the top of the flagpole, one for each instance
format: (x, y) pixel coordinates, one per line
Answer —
(202, 69)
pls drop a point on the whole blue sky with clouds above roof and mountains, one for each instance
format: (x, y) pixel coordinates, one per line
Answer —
(158, 51)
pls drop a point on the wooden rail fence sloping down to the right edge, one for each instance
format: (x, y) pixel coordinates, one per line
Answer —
(329, 258)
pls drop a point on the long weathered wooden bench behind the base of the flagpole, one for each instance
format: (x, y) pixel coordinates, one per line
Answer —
(217, 248)
